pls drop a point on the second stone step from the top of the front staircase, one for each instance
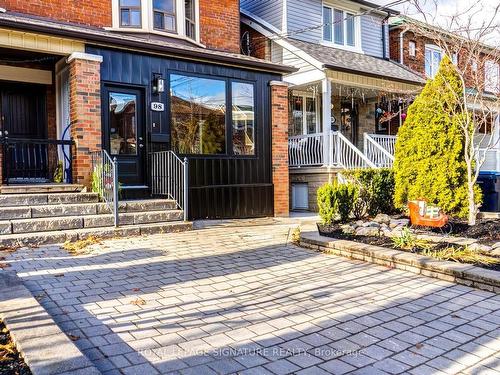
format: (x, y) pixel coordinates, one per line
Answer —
(82, 209)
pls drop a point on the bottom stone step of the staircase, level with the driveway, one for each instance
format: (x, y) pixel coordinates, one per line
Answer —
(55, 237)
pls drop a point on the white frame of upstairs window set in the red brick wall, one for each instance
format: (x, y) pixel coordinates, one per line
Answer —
(147, 20)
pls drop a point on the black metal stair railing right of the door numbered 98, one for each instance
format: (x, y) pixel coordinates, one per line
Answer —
(169, 177)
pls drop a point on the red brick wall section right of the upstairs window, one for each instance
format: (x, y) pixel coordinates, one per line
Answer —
(220, 24)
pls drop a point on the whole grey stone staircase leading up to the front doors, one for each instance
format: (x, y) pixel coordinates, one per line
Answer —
(49, 218)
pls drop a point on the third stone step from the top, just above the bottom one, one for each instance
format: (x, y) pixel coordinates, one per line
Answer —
(48, 224)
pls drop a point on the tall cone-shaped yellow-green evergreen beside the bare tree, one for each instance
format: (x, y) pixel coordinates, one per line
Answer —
(429, 156)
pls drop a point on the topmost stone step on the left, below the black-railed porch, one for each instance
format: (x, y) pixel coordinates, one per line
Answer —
(15, 200)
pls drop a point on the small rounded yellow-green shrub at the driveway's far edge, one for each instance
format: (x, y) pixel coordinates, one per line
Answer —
(337, 201)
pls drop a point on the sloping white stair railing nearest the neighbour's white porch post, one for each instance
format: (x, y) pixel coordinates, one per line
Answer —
(345, 154)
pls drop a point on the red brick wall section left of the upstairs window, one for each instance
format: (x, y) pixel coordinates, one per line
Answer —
(87, 12)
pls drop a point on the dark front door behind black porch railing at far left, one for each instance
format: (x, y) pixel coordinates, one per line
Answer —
(23, 120)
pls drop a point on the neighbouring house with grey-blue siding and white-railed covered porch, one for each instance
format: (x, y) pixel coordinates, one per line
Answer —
(346, 98)
